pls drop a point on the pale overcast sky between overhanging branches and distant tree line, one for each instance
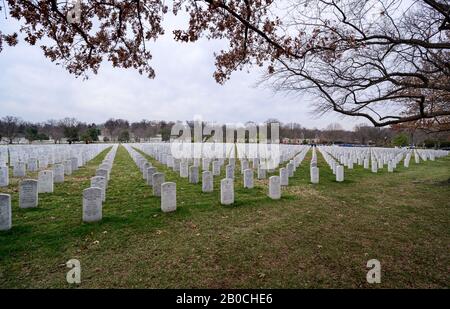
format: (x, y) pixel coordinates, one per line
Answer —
(35, 89)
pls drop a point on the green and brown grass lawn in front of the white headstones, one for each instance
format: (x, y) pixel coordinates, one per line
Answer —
(316, 236)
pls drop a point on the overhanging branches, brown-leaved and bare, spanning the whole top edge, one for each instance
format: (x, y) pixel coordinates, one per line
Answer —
(385, 60)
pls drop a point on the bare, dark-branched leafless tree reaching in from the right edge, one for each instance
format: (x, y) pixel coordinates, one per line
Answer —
(384, 60)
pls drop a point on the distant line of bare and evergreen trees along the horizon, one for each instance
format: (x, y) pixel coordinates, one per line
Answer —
(72, 130)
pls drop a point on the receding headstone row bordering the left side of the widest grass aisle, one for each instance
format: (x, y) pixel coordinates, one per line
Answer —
(95, 195)
